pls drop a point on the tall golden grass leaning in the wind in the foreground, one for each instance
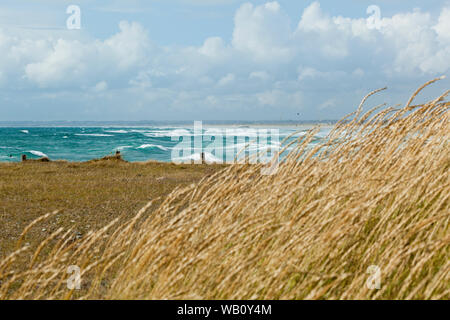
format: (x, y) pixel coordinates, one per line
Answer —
(375, 192)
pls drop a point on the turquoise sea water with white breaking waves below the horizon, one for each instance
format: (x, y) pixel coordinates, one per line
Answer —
(135, 143)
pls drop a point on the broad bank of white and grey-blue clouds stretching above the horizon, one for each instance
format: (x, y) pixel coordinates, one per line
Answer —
(272, 66)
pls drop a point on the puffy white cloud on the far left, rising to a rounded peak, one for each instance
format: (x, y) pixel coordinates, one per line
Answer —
(75, 62)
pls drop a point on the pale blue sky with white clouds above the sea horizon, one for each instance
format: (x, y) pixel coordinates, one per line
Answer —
(217, 59)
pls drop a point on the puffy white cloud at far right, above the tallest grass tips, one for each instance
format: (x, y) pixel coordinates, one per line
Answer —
(411, 39)
